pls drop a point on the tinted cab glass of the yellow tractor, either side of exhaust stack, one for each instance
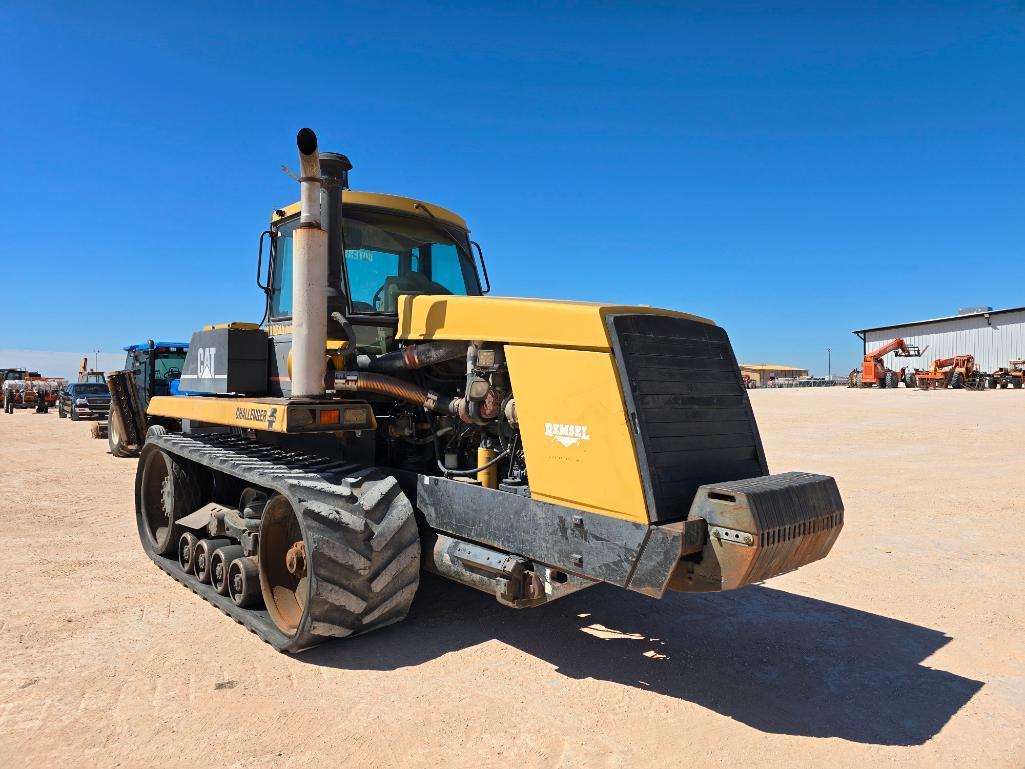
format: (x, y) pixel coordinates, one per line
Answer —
(387, 256)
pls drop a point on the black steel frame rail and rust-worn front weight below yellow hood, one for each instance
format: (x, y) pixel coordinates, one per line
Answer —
(737, 533)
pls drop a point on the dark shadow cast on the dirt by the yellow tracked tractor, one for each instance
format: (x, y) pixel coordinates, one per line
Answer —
(773, 661)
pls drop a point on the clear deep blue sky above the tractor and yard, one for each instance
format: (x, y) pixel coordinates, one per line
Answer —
(793, 171)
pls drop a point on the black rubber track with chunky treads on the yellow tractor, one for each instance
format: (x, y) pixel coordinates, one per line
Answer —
(361, 537)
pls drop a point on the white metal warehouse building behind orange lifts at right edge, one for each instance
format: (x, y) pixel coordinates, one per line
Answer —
(994, 337)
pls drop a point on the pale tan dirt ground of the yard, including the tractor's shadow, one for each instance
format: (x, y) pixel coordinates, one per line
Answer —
(906, 647)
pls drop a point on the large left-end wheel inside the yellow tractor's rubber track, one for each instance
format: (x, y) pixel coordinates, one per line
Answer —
(167, 492)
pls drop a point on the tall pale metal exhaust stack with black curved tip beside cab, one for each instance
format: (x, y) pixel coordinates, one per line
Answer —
(309, 278)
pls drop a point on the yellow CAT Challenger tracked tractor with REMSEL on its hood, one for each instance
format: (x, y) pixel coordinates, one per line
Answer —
(388, 417)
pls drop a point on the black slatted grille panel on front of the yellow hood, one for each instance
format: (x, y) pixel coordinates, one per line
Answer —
(692, 421)
